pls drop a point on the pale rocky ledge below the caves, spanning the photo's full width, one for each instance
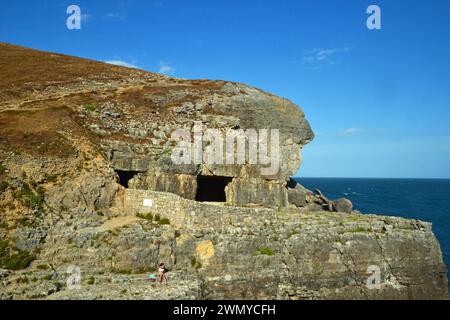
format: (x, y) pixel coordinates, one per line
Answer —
(216, 251)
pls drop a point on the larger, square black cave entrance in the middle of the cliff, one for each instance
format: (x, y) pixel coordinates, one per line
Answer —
(211, 188)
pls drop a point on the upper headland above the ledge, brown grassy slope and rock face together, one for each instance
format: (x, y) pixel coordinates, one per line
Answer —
(132, 115)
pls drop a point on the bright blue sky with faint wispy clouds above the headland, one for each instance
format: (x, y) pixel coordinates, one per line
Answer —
(378, 100)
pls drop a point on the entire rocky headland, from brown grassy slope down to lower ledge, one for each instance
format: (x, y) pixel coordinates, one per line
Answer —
(84, 145)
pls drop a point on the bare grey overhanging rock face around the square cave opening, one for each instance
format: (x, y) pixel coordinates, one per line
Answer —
(232, 110)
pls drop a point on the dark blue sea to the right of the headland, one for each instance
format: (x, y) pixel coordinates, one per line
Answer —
(423, 199)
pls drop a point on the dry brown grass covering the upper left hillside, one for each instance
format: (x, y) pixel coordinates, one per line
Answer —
(38, 99)
